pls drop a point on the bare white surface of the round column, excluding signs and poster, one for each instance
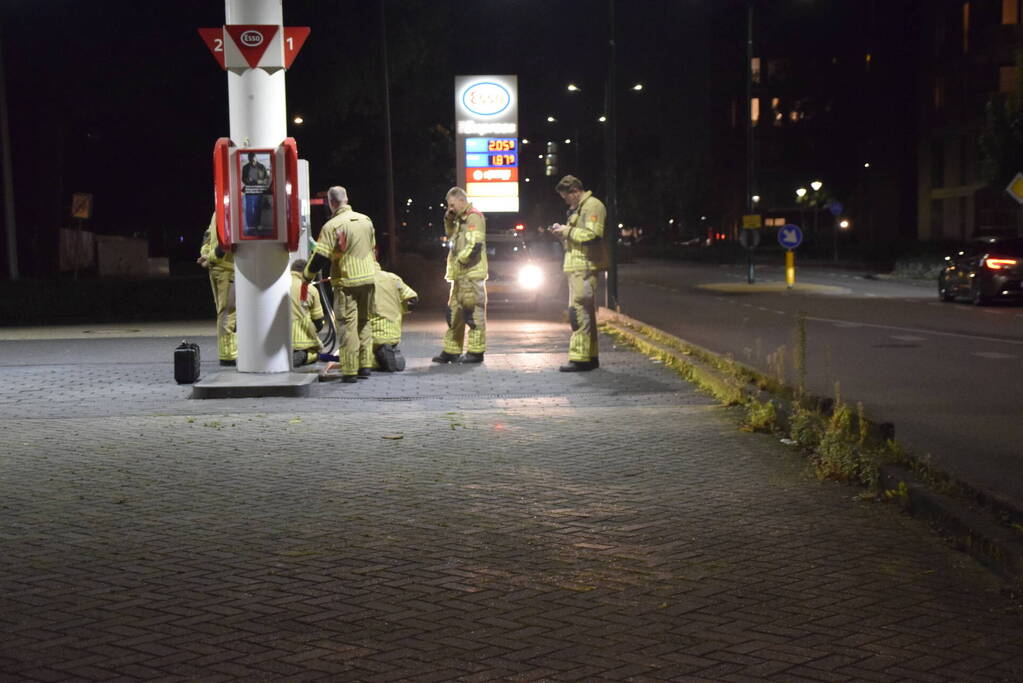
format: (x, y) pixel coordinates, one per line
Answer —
(262, 284)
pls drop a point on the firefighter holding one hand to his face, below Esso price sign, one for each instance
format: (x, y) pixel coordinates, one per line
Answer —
(467, 271)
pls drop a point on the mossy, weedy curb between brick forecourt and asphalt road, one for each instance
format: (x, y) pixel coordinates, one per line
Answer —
(980, 523)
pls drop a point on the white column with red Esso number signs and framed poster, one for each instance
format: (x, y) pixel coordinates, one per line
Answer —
(257, 193)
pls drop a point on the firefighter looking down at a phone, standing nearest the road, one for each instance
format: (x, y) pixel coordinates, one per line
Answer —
(586, 256)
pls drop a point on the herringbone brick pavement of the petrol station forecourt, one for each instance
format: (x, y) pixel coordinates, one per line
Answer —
(495, 523)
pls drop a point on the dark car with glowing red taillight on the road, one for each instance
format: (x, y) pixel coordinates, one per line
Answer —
(989, 269)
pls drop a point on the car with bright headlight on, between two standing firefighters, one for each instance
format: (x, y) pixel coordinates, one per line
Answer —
(515, 278)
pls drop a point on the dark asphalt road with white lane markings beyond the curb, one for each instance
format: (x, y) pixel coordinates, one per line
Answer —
(950, 377)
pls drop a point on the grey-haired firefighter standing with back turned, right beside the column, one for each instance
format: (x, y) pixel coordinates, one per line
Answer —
(348, 245)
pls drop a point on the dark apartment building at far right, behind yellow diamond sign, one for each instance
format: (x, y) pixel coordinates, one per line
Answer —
(969, 62)
